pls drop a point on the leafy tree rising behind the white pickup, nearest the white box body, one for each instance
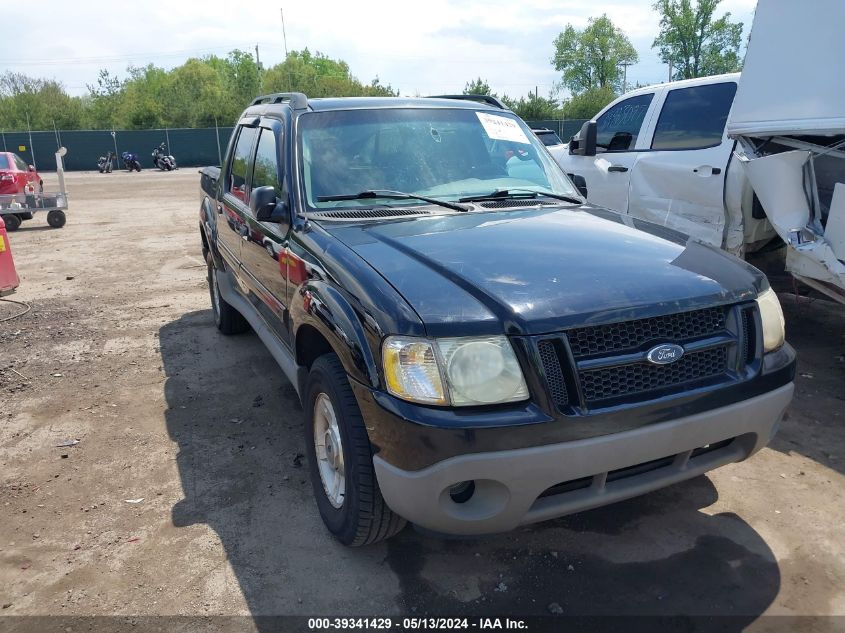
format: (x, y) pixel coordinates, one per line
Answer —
(694, 42)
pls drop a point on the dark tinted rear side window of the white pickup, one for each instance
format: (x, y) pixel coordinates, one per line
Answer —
(694, 118)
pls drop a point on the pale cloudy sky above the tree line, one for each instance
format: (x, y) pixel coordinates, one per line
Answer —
(426, 47)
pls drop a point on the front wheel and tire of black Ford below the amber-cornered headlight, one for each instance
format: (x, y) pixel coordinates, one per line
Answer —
(358, 516)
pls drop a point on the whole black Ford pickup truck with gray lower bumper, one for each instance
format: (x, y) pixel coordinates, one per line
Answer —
(474, 346)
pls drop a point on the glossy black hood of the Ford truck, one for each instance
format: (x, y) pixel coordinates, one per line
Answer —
(545, 269)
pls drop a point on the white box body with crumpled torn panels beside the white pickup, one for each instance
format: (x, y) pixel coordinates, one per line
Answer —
(789, 120)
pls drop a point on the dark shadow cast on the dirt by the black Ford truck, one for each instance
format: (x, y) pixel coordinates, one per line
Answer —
(237, 423)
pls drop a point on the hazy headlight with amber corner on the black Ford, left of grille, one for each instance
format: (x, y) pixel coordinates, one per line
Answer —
(481, 370)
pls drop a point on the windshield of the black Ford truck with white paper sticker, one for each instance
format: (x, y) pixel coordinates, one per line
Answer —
(439, 153)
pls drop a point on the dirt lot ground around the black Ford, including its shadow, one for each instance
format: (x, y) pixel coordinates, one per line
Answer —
(119, 352)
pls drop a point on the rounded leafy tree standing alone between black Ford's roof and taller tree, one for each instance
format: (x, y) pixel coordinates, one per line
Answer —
(591, 58)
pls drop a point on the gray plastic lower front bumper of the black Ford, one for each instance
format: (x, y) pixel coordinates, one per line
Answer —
(600, 470)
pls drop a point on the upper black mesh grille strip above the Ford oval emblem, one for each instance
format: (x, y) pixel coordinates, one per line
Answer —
(631, 335)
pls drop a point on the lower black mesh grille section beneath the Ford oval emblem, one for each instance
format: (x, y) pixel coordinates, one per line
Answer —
(622, 380)
